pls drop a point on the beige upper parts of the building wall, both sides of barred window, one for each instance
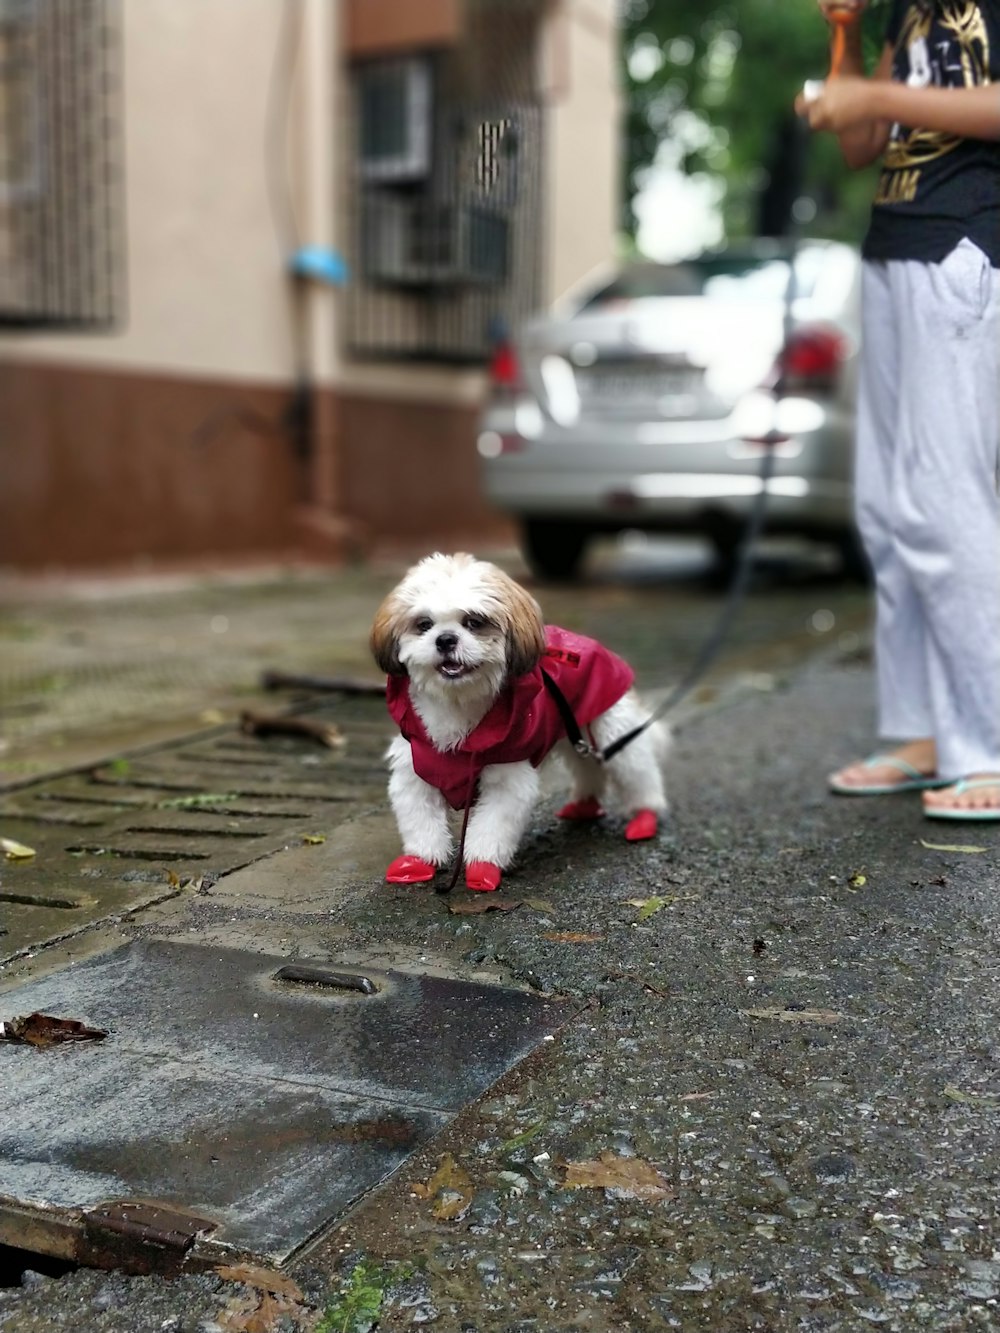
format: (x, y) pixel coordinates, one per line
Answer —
(206, 177)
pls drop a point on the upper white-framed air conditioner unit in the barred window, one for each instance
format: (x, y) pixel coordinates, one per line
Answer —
(395, 119)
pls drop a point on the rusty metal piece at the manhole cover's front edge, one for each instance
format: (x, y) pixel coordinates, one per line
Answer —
(143, 1238)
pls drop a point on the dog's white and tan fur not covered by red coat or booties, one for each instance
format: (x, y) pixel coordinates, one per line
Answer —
(455, 626)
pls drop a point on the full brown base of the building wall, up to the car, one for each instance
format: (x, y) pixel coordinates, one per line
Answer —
(107, 469)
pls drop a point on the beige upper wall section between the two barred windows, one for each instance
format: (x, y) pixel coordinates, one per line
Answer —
(207, 286)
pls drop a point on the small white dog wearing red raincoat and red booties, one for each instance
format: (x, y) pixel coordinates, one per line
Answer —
(465, 649)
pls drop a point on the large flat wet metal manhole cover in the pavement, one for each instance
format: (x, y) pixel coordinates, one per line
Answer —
(265, 1107)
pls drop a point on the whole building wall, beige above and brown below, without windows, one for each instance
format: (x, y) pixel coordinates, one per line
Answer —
(175, 437)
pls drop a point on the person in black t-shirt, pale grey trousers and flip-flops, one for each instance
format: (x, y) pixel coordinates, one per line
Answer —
(929, 418)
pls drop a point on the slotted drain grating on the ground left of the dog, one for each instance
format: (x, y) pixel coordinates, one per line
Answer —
(133, 831)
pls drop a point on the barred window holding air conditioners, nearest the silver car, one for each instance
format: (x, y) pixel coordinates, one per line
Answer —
(447, 227)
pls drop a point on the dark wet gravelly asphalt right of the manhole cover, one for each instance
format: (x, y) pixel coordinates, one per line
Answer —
(802, 1042)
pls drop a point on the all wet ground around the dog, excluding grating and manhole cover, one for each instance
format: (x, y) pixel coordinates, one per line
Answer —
(775, 1103)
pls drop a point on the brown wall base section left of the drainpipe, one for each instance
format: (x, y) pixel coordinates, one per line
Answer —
(102, 469)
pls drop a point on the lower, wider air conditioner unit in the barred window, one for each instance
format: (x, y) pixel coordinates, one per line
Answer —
(414, 242)
